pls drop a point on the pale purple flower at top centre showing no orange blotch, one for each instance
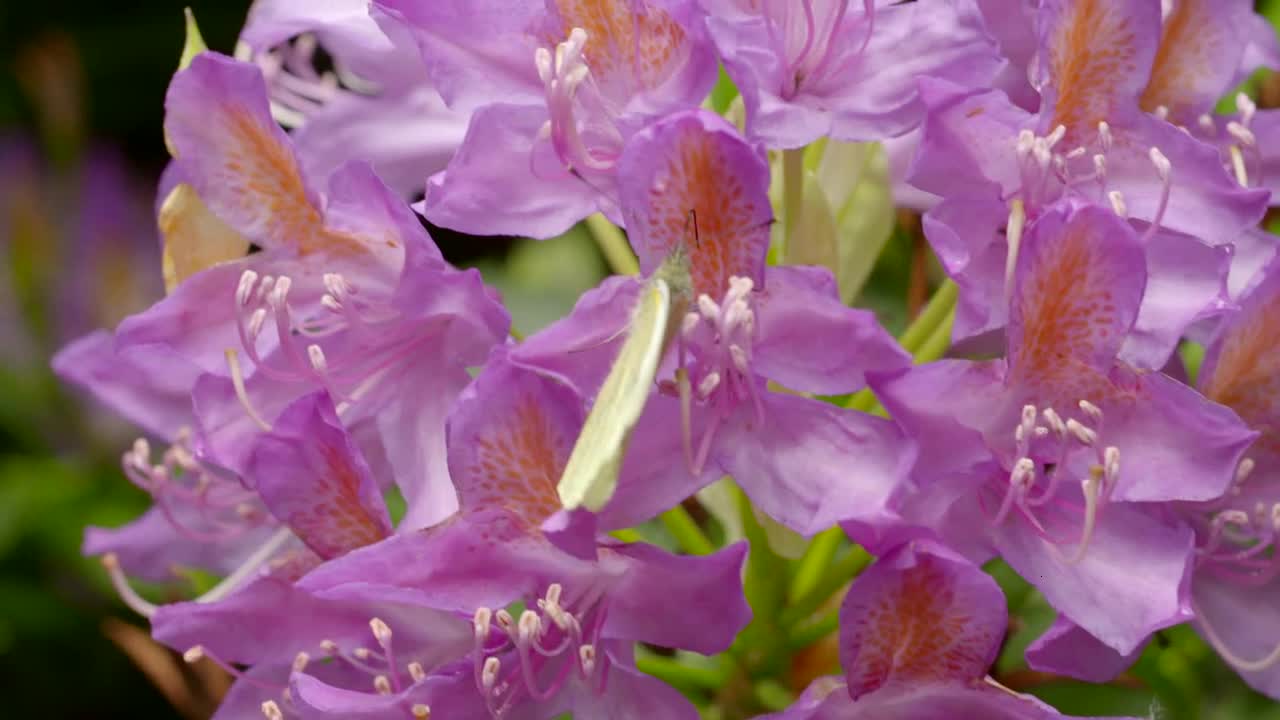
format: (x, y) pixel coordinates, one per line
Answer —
(813, 69)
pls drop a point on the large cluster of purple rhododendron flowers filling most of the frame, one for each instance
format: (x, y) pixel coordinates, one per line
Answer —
(316, 350)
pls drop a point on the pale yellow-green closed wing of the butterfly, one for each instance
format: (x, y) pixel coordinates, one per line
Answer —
(592, 472)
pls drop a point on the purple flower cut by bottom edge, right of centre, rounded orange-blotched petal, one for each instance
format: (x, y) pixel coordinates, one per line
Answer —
(918, 632)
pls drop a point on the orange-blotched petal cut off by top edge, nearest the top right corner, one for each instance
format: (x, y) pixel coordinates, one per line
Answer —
(1200, 51)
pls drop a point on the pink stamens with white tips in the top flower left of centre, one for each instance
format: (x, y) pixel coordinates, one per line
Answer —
(580, 127)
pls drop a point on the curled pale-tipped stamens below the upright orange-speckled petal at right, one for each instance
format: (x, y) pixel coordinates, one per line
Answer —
(1032, 490)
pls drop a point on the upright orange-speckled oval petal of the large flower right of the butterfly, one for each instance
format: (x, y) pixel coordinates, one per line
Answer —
(1078, 284)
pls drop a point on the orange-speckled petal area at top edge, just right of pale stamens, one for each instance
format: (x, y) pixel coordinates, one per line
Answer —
(633, 47)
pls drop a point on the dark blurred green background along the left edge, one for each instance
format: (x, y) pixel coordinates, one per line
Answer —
(81, 104)
